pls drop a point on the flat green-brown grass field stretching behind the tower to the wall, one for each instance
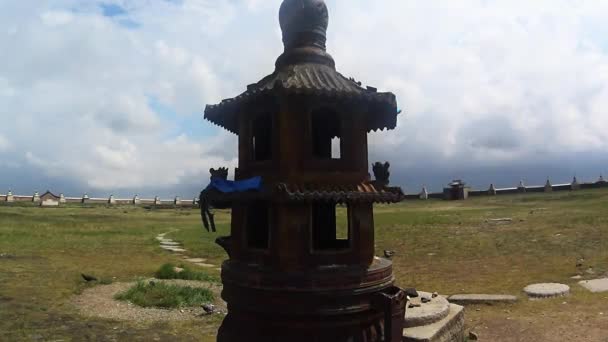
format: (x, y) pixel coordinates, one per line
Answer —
(449, 247)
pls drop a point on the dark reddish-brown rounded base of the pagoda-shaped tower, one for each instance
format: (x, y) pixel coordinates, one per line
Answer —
(326, 304)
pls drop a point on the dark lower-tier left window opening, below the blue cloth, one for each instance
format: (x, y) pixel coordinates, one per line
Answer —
(258, 225)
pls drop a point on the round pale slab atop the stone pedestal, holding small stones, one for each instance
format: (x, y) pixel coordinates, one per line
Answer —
(426, 313)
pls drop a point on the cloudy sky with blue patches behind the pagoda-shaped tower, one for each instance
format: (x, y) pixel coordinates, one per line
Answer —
(107, 97)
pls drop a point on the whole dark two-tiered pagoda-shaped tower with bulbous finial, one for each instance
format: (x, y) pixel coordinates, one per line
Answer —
(297, 271)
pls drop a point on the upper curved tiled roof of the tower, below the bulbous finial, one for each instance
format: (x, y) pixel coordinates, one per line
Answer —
(311, 79)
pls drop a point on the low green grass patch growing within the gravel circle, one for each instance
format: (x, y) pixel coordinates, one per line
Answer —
(166, 296)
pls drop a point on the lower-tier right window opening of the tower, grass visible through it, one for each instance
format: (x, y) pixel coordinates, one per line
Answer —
(330, 231)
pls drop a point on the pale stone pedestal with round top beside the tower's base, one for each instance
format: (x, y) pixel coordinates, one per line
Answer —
(444, 326)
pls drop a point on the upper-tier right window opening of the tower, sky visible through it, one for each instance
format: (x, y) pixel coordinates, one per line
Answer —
(326, 134)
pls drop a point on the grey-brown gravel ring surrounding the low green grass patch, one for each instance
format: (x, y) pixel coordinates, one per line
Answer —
(99, 302)
